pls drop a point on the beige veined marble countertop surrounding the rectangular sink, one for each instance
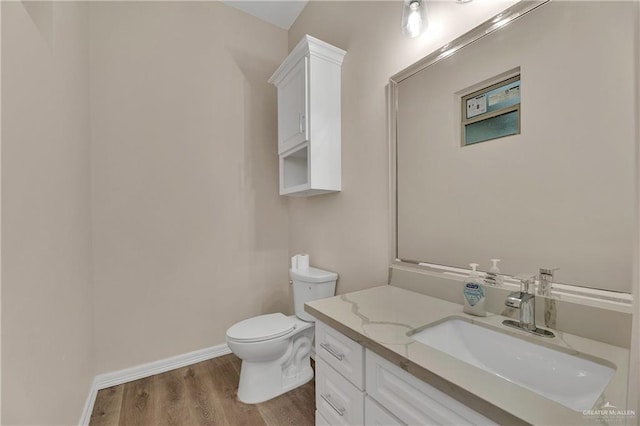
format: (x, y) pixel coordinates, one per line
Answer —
(380, 317)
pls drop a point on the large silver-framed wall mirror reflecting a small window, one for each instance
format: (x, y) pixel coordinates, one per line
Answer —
(558, 193)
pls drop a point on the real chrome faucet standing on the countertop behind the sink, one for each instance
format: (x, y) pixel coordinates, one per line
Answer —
(525, 300)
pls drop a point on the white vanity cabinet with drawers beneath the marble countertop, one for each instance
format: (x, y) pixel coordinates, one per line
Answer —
(355, 386)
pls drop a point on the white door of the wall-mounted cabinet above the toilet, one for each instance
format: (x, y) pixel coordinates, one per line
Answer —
(293, 117)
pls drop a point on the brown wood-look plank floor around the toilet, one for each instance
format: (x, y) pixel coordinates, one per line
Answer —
(200, 394)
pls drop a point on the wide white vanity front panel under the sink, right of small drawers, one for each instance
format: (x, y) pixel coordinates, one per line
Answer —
(412, 400)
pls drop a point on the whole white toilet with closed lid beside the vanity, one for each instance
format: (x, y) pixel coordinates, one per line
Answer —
(275, 348)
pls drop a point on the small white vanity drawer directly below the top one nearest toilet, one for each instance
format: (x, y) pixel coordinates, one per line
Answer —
(338, 401)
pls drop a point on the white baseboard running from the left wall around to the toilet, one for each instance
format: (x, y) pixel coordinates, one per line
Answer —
(106, 380)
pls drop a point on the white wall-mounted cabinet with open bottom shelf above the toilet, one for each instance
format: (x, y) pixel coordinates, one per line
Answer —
(309, 129)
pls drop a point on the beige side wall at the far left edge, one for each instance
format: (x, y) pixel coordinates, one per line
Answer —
(47, 353)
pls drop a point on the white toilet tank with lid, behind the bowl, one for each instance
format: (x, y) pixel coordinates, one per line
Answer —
(311, 284)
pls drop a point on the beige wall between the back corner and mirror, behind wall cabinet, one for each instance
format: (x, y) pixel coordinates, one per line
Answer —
(348, 232)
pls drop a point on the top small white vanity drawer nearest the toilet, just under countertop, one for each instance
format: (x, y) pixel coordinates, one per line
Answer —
(340, 352)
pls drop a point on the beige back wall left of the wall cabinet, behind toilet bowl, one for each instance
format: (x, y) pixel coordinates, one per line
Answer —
(190, 234)
